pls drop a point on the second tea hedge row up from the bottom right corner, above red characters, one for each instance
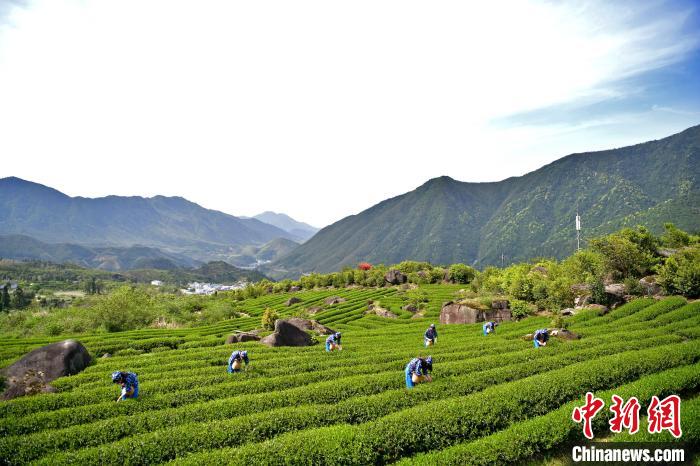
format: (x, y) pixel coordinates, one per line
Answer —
(455, 419)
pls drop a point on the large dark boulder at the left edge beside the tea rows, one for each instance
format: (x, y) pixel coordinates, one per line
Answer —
(33, 373)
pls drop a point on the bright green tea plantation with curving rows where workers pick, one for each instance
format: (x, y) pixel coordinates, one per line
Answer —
(494, 400)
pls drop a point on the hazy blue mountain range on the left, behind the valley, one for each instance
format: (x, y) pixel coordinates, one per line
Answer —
(183, 232)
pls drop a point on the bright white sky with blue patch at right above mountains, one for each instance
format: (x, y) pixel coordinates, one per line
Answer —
(321, 109)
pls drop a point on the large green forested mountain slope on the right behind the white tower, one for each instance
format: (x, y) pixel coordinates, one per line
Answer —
(446, 221)
